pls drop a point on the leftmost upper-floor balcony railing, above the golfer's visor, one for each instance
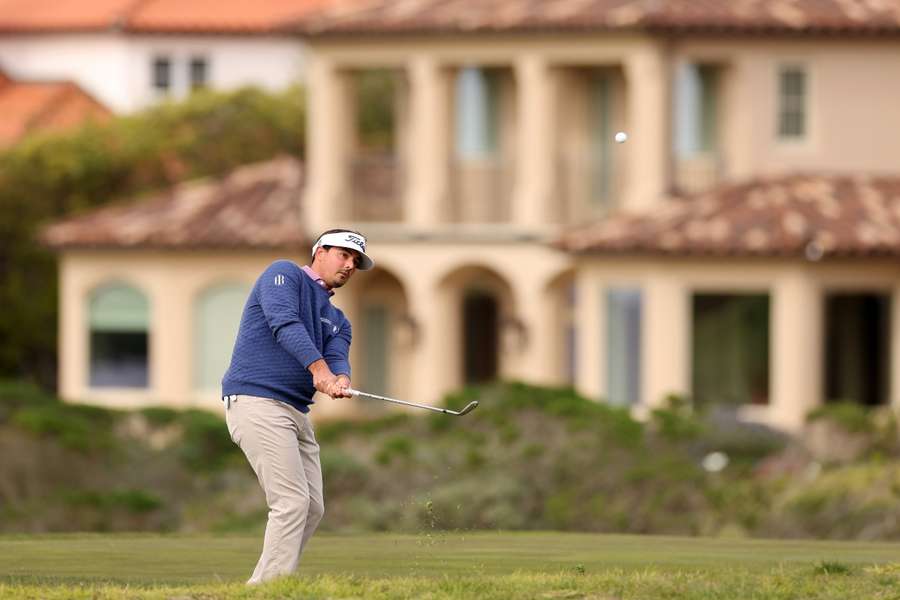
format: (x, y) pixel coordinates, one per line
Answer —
(375, 188)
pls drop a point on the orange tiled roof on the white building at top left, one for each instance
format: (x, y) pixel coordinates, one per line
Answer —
(161, 16)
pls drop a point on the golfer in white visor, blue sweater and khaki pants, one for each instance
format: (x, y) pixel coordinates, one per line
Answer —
(291, 343)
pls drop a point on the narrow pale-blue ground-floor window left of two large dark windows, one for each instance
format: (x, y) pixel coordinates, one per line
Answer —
(623, 346)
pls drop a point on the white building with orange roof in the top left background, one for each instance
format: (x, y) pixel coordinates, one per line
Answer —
(133, 53)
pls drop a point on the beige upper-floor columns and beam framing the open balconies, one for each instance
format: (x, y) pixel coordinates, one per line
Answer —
(534, 108)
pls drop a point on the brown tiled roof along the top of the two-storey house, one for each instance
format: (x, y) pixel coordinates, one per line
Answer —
(449, 16)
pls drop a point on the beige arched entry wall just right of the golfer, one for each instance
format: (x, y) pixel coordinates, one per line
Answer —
(433, 275)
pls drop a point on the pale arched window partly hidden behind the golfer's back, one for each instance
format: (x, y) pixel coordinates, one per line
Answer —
(217, 315)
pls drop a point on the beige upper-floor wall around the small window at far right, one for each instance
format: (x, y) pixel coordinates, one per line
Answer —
(853, 90)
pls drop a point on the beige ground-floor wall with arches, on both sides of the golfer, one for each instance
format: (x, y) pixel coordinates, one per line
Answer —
(422, 283)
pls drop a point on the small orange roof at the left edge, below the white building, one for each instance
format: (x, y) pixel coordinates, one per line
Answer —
(32, 106)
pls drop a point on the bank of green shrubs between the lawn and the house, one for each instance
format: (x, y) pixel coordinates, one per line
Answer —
(527, 458)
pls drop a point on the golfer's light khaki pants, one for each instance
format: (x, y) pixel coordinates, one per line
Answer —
(278, 441)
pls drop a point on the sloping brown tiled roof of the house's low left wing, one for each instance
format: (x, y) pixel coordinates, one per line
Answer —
(256, 206)
